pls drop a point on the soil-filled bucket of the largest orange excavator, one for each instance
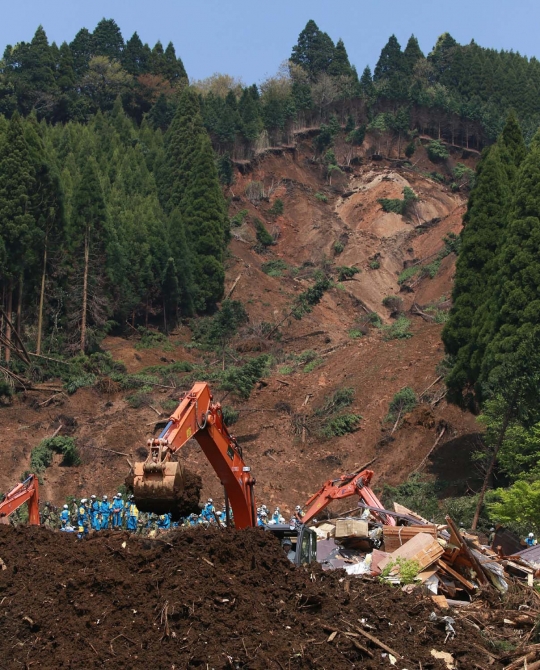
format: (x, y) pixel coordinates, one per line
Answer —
(165, 487)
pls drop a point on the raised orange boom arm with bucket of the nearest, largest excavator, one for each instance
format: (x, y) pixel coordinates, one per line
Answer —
(197, 417)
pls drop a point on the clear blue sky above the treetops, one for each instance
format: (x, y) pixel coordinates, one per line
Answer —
(250, 38)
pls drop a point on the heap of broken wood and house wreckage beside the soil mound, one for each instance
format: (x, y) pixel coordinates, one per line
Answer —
(452, 564)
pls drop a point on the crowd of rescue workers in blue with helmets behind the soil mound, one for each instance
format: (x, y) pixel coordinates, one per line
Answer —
(121, 513)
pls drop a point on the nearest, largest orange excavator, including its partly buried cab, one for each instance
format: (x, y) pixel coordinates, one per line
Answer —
(158, 482)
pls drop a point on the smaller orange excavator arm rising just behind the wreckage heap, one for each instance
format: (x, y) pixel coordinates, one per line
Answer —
(355, 484)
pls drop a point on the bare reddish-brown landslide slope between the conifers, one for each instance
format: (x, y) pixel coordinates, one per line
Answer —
(287, 469)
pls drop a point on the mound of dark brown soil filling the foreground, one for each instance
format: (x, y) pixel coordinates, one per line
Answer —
(204, 599)
